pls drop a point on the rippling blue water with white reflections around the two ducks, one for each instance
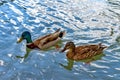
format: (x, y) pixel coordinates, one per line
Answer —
(86, 22)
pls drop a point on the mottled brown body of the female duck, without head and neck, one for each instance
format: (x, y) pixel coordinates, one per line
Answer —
(87, 51)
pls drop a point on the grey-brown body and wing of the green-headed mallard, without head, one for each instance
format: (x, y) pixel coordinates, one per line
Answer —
(49, 40)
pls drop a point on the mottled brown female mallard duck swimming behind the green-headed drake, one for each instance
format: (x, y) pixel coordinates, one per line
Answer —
(82, 52)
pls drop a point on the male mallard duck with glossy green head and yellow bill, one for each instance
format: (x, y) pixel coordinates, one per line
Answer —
(42, 42)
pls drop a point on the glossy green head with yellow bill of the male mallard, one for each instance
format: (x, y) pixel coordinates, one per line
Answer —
(25, 35)
